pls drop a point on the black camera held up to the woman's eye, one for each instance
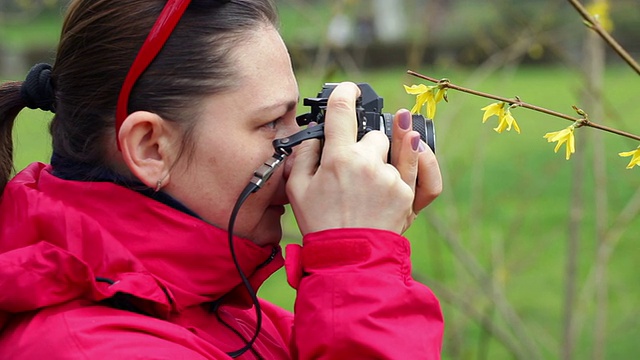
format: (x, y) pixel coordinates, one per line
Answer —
(369, 114)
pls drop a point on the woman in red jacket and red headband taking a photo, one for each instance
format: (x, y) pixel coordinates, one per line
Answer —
(118, 248)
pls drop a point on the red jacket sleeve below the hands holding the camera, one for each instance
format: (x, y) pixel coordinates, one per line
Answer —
(357, 300)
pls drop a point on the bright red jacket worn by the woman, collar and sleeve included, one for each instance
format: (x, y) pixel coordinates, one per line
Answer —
(71, 250)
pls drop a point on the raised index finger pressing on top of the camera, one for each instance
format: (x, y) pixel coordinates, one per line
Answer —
(340, 120)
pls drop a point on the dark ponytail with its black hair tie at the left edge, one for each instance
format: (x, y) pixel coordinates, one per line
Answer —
(36, 92)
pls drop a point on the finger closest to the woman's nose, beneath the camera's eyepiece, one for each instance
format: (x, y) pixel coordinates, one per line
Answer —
(305, 158)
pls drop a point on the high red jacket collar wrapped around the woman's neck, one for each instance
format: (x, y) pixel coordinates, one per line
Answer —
(120, 234)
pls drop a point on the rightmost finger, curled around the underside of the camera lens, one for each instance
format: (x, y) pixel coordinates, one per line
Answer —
(429, 184)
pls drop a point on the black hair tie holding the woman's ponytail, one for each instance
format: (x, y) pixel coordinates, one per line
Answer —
(37, 89)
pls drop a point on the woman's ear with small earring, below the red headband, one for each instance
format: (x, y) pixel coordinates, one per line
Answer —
(145, 143)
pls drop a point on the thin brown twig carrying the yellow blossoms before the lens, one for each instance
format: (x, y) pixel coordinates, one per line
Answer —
(520, 103)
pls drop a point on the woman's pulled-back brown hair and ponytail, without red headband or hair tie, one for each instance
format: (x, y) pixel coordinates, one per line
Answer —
(99, 40)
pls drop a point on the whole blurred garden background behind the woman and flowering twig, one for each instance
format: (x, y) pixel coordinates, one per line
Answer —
(531, 255)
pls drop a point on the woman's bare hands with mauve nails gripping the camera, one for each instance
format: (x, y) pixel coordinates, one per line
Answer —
(349, 184)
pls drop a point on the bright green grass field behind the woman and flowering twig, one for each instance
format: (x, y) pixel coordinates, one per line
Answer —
(506, 204)
